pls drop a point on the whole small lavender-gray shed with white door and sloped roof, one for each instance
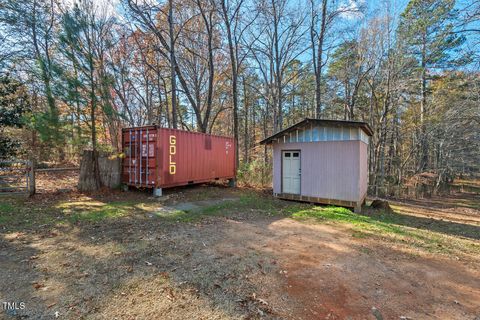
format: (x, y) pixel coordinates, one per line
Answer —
(322, 161)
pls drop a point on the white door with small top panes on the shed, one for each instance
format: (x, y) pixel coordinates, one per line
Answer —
(291, 172)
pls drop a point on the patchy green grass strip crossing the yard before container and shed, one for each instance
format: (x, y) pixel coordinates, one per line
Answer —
(432, 235)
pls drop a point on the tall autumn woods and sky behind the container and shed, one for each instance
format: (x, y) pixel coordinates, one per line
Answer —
(73, 73)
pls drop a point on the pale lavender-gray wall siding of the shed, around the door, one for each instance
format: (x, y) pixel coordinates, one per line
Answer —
(330, 169)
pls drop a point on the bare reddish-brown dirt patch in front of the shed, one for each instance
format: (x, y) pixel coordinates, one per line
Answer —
(328, 274)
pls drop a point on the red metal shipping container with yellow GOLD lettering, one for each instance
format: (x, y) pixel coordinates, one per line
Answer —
(161, 157)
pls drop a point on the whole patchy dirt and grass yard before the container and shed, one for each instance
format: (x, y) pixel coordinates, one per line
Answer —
(246, 258)
